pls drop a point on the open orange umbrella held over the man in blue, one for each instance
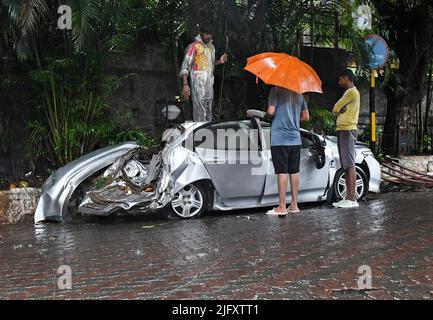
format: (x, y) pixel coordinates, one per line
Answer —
(285, 71)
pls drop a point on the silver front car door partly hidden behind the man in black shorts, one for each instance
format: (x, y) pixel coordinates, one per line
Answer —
(312, 181)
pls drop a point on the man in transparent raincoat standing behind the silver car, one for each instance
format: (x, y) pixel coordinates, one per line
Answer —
(199, 63)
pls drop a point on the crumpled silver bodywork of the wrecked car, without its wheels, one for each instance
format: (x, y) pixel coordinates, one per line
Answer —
(183, 162)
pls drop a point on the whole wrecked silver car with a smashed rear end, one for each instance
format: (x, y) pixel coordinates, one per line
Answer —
(202, 166)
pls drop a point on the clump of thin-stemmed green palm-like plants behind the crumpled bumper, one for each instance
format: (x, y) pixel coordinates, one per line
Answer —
(71, 110)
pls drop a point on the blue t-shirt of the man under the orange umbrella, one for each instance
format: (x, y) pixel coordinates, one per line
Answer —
(287, 120)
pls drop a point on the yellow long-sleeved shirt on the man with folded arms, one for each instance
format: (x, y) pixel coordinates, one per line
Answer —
(348, 120)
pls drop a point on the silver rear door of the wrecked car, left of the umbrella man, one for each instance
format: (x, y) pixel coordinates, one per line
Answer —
(233, 161)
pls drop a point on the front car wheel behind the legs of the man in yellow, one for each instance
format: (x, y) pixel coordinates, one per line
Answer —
(339, 186)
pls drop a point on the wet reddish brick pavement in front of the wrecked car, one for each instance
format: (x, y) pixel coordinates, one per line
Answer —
(237, 255)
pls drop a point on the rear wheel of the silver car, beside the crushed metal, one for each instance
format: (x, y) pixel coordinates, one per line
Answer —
(190, 202)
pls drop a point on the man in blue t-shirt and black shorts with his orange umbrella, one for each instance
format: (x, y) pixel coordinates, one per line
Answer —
(287, 109)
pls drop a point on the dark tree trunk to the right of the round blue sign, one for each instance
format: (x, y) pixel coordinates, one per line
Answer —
(410, 35)
